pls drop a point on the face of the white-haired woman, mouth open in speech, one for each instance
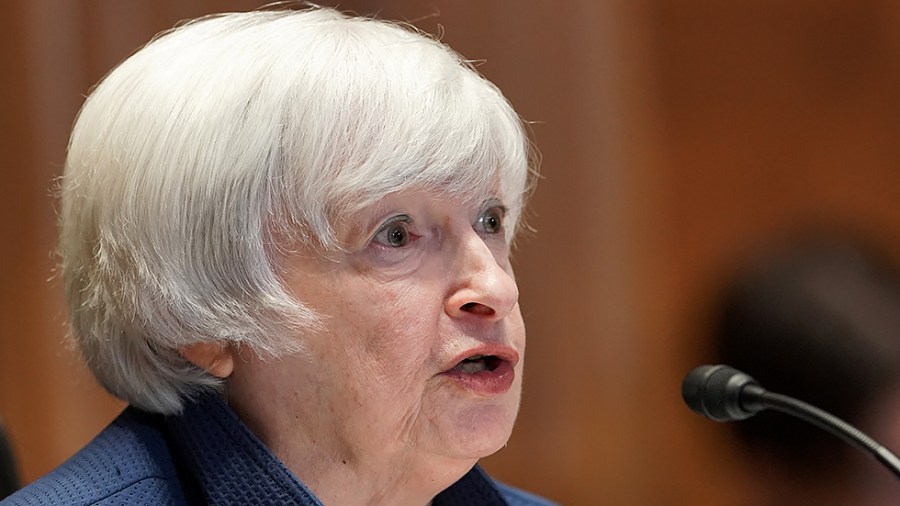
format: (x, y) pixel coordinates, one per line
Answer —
(423, 347)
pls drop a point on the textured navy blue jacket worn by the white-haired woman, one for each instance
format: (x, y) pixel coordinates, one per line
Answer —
(204, 456)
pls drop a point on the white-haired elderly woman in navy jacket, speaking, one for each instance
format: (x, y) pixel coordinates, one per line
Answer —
(286, 239)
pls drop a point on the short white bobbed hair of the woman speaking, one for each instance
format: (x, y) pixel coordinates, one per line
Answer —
(198, 158)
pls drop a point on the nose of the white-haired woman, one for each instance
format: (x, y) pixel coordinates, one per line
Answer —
(482, 287)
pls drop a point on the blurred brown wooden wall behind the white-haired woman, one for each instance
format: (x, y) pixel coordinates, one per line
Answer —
(678, 138)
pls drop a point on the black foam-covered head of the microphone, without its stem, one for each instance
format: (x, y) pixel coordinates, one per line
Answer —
(714, 391)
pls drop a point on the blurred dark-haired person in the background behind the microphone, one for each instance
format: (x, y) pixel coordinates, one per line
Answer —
(817, 318)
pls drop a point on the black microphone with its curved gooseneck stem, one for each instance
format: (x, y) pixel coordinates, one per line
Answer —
(724, 394)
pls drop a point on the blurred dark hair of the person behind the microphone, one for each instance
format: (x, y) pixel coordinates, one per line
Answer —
(817, 319)
